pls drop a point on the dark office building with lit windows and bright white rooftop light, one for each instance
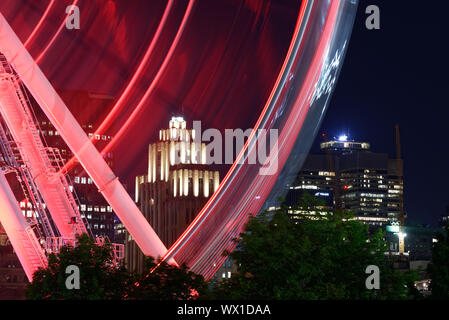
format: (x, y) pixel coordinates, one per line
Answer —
(368, 184)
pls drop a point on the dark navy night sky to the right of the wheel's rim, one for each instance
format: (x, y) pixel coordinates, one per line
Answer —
(398, 74)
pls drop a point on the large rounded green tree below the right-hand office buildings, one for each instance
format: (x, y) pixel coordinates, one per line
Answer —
(317, 256)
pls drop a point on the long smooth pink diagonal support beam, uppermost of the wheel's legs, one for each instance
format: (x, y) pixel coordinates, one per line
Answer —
(77, 140)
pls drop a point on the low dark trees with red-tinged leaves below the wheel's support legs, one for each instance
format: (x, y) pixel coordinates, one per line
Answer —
(100, 279)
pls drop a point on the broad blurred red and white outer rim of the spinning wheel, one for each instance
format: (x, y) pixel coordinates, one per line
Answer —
(243, 191)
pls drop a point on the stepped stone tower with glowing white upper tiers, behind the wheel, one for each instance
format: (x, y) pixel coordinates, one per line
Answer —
(176, 187)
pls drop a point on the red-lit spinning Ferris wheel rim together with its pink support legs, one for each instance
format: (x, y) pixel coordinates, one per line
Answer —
(294, 110)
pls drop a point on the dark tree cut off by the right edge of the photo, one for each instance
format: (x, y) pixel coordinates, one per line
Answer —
(439, 267)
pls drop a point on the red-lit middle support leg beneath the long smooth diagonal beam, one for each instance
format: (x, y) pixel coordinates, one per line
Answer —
(18, 117)
